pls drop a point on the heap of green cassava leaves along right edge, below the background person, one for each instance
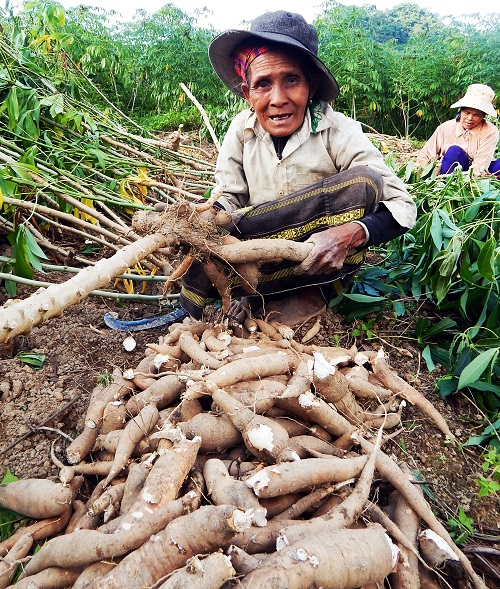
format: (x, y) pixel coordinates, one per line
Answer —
(449, 260)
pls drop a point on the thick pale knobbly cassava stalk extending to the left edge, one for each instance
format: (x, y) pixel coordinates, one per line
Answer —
(21, 316)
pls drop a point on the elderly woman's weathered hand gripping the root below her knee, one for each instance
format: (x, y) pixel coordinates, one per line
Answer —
(331, 247)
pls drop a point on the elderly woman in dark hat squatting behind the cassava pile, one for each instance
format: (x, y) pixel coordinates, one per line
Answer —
(293, 168)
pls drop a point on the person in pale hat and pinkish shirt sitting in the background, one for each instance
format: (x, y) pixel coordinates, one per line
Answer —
(468, 140)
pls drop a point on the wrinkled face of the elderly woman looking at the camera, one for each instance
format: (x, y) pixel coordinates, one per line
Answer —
(278, 91)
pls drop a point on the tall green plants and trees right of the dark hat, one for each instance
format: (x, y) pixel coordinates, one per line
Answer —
(391, 75)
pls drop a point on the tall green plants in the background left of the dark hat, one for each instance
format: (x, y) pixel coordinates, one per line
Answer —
(140, 64)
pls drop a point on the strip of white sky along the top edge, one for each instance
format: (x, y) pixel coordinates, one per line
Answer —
(227, 14)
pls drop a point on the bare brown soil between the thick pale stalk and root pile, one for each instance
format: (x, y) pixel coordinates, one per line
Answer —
(79, 350)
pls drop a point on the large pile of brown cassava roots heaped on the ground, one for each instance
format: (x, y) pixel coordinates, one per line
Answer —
(234, 459)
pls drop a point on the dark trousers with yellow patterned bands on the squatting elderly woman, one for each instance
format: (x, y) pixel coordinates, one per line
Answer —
(339, 199)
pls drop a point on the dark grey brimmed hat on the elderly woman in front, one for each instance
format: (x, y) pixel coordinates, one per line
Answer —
(282, 27)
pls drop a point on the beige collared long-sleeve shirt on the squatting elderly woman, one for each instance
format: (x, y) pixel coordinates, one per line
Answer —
(251, 172)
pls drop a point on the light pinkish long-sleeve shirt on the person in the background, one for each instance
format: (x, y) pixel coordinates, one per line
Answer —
(478, 143)
